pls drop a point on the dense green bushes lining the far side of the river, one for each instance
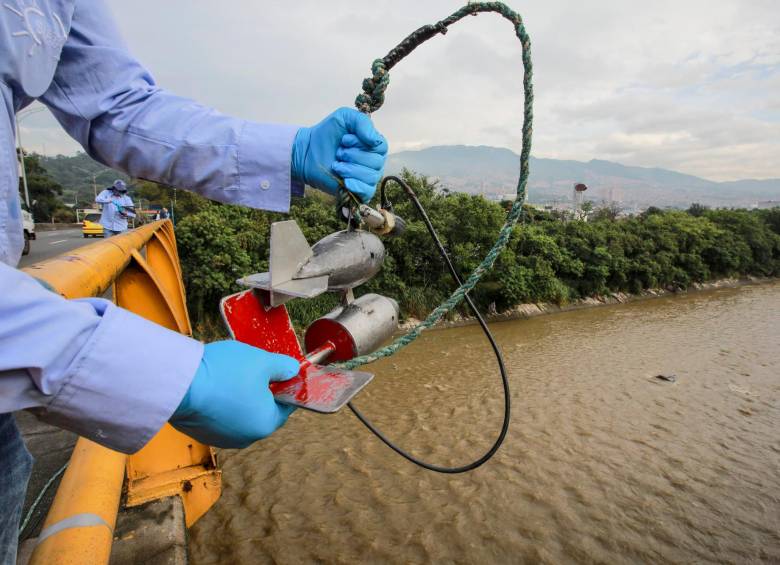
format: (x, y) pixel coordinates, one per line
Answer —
(547, 259)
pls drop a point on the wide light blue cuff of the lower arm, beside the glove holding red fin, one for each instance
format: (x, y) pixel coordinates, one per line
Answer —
(127, 383)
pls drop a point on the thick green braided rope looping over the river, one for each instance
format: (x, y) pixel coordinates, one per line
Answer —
(373, 97)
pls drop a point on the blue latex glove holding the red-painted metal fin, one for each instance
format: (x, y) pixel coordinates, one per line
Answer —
(229, 403)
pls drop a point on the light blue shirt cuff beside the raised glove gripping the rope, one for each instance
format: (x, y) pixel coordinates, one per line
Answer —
(265, 166)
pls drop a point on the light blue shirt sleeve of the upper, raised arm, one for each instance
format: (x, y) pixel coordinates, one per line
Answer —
(111, 105)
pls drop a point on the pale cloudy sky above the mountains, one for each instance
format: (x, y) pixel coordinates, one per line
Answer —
(690, 85)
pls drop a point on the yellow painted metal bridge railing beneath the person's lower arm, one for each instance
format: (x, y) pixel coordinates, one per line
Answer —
(143, 267)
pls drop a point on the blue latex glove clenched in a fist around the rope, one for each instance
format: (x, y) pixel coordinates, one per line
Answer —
(344, 143)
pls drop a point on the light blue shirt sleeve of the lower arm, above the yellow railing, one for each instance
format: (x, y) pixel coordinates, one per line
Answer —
(89, 366)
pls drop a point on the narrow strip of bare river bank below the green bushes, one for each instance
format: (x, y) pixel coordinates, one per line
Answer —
(531, 310)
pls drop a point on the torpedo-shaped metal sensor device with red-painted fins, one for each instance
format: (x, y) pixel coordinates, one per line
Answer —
(339, 262)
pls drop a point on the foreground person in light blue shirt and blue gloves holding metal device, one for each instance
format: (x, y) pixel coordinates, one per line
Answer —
(62, 358)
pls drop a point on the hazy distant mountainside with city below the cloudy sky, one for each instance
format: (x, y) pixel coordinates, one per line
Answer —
(493, 171)
